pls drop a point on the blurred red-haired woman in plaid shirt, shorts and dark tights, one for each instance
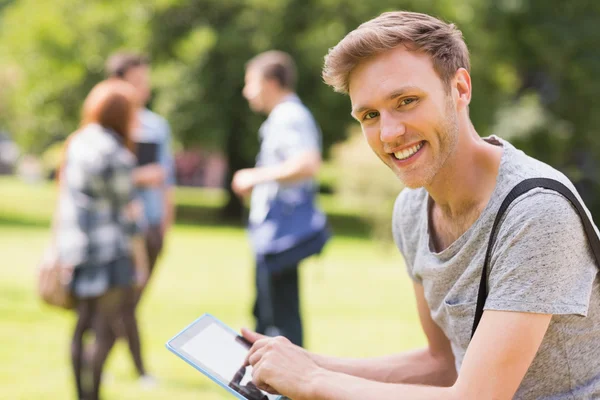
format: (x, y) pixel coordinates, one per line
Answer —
(99, 228)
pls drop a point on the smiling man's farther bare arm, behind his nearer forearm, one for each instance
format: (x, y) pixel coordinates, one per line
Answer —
(433, 365)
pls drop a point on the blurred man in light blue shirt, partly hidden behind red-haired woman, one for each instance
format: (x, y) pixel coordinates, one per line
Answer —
(154, 175)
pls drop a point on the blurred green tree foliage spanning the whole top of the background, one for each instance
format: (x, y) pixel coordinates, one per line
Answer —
(520, 50)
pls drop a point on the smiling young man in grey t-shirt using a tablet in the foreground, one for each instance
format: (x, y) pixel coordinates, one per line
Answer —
(407, 75)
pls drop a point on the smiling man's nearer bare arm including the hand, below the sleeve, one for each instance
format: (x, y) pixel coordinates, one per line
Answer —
(494, 366)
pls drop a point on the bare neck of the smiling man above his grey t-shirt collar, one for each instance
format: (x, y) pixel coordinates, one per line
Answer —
(468, 178)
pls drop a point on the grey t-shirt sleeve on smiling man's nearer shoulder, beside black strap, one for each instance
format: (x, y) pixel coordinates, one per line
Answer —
(541, 261)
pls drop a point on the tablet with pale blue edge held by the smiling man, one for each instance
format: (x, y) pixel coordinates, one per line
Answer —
(218, 352)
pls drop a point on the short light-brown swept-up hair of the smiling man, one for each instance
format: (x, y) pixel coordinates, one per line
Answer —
(418, 32)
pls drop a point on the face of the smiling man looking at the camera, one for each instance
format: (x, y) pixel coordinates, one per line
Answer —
(407, 116)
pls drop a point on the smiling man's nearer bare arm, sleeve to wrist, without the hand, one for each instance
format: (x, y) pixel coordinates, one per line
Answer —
(494, 366)
